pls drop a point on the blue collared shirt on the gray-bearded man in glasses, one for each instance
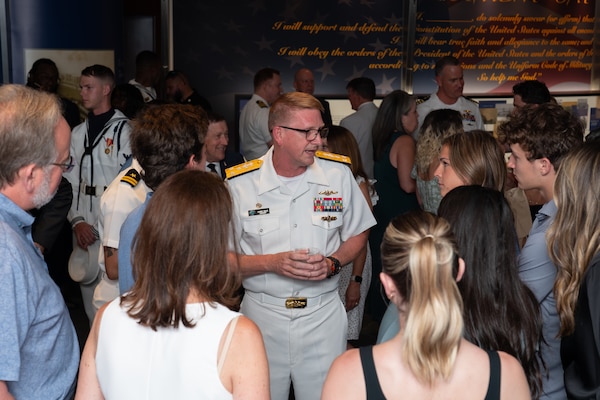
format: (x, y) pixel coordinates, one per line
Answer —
(39, 351)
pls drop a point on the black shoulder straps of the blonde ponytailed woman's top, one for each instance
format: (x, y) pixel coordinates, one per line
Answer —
(374, 389)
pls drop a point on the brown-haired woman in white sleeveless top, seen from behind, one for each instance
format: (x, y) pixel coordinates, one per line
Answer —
(173, 336)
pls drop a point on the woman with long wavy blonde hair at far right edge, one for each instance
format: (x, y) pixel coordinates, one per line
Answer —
(574, 246)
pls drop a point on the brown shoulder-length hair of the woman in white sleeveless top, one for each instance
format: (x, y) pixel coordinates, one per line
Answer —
(181, 249)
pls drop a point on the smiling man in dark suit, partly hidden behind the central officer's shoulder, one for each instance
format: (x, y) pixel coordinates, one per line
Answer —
(218, 158)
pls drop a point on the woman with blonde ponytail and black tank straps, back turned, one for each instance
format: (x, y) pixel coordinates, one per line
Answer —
(428, 358)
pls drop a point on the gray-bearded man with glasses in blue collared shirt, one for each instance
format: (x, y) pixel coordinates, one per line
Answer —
(39, 353)
